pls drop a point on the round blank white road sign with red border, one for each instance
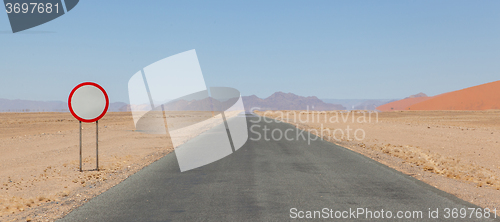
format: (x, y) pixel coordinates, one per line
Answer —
(88, 102)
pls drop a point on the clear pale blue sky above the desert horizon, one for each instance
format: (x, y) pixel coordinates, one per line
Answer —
(329, 49)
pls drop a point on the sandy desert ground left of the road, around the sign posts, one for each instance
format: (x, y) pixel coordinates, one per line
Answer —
(39, 161)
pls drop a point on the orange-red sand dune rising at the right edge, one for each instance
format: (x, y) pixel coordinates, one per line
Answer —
(481, 97)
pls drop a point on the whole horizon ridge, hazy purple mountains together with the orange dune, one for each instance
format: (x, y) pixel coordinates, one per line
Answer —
(481, 97)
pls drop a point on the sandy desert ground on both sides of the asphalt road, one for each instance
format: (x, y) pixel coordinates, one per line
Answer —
(456, 151)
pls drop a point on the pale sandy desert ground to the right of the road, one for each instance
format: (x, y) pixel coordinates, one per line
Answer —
(455, 151)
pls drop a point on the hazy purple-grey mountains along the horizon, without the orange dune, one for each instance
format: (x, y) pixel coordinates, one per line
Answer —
(277, 101)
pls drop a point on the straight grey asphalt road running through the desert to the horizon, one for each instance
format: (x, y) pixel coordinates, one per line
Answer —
(271, 181)
